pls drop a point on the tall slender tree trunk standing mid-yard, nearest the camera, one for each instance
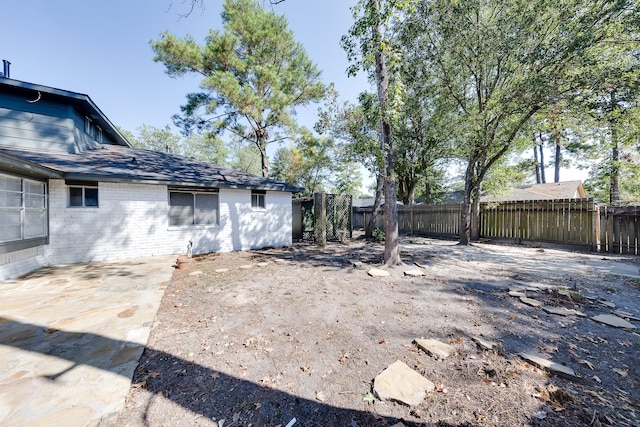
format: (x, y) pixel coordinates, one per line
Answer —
(391, 247)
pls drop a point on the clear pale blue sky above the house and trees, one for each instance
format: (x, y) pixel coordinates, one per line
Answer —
(101, 48)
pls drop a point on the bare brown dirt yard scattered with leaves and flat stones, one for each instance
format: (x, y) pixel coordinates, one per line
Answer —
(295, 337)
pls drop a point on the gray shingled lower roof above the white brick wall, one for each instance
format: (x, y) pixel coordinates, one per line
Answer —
(112, 163)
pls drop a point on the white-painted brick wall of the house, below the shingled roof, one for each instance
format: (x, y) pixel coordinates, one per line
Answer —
(132, 221)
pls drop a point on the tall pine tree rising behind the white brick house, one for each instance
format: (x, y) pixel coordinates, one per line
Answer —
(254, 76)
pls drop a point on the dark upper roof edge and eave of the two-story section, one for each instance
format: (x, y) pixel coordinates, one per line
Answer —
(81, 101)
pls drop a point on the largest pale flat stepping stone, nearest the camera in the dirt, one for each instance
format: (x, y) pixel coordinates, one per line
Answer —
(402, 384)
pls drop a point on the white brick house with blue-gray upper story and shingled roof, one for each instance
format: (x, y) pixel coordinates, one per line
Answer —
(73, 189)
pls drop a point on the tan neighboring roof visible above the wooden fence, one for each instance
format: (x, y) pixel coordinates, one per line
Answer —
(549, 191)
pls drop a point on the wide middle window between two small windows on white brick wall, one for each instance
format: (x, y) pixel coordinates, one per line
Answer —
(188, 208)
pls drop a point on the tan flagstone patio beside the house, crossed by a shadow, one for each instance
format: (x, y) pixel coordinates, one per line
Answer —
(71, 338)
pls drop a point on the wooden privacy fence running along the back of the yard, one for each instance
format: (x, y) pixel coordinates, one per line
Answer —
(576, 222)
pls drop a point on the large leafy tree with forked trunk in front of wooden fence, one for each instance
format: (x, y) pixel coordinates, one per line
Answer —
(498, 62)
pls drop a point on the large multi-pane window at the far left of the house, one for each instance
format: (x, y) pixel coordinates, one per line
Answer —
(23, 209)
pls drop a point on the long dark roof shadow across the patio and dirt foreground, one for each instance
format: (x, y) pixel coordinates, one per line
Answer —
(199, 389)
